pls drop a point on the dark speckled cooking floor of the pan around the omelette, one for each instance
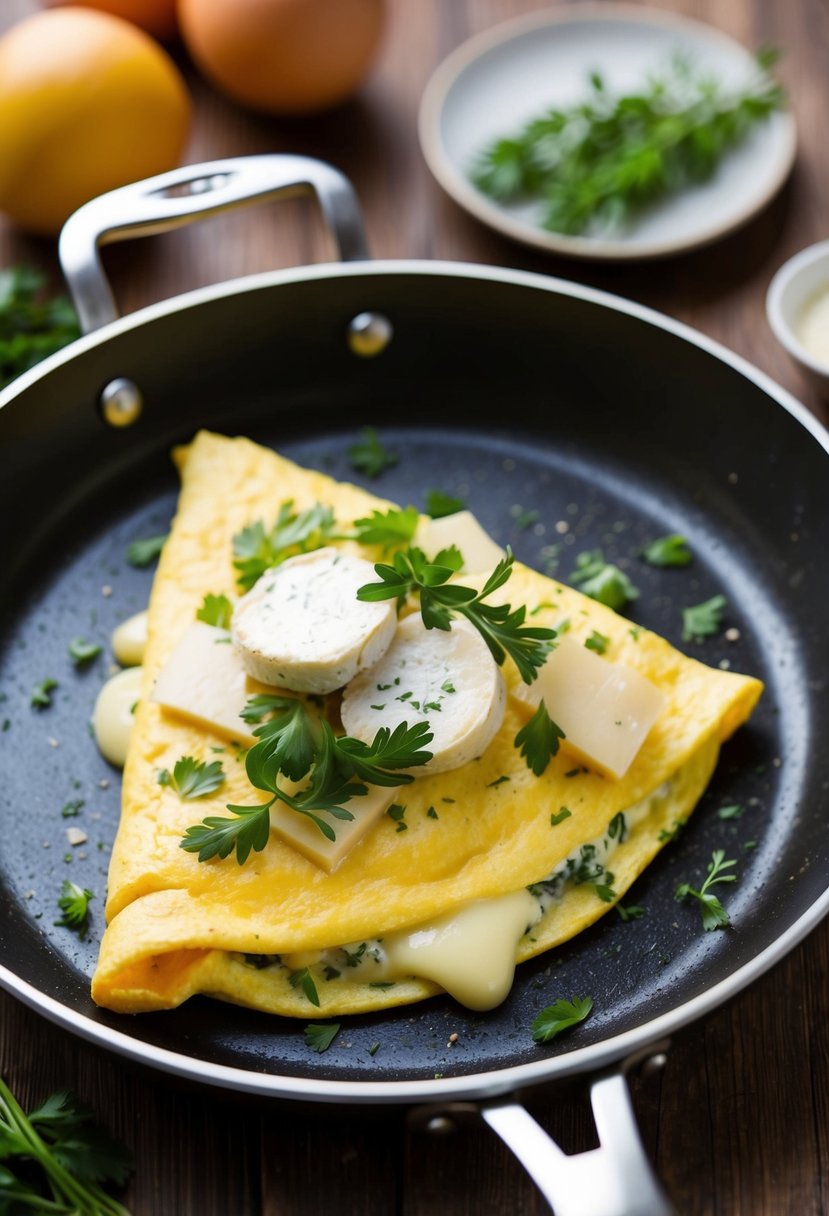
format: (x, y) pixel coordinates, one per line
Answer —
(550, 499)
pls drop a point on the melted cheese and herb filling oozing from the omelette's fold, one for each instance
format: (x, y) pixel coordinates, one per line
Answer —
(472, 953)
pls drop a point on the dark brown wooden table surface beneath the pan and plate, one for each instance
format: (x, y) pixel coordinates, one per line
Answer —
(738, 1121)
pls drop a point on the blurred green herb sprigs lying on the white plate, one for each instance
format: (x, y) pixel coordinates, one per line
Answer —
(596, 165)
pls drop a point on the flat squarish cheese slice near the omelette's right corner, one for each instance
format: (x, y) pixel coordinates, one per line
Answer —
(605, 710)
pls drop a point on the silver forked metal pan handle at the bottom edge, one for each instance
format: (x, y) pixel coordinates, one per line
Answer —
(613, 1180)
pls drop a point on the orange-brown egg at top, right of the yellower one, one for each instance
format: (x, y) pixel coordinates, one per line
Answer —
(284, 57)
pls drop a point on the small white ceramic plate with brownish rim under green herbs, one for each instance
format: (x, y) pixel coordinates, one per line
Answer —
(498, 81)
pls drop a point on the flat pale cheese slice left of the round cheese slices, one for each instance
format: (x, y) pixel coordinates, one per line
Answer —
(205, 680)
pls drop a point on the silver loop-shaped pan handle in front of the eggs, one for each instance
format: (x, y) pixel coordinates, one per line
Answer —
(184, 196)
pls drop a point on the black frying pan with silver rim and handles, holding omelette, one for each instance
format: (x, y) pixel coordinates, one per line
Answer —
(534, 399)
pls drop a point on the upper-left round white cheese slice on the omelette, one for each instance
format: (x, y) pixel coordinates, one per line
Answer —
(303, 628)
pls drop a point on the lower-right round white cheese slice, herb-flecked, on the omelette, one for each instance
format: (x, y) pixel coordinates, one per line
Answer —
(447, 677)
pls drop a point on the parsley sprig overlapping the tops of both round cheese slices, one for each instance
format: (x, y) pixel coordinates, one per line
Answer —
(501, 627)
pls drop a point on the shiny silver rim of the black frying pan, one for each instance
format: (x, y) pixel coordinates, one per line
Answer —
(490, 1084)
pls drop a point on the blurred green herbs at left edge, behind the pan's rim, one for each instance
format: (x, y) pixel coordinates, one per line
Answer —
(31, 328)
